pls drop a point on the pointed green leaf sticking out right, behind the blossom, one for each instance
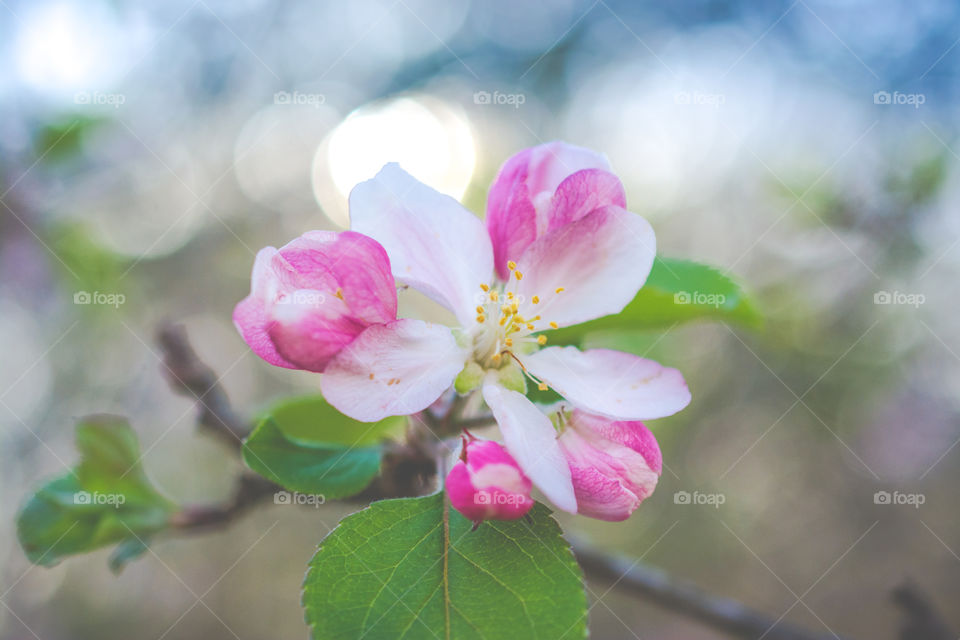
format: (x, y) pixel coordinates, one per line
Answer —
(676, 291)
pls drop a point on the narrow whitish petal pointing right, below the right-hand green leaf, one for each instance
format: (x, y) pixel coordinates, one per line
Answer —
(611, 383)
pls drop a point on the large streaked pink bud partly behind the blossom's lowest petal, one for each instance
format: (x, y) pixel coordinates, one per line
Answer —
(614, 464)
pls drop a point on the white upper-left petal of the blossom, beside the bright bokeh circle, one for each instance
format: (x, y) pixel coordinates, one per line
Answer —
(435, 245)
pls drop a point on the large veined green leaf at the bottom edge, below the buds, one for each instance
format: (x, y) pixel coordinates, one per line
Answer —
(412, 568)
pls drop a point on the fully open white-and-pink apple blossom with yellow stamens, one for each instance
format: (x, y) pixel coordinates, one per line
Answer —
(559, 248)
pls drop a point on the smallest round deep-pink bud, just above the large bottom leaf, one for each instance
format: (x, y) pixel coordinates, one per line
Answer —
(487, 483)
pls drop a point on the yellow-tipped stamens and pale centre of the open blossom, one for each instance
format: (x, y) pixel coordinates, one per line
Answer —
(504, 326)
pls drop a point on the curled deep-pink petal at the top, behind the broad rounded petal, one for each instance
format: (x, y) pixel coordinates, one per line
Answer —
(518, 199)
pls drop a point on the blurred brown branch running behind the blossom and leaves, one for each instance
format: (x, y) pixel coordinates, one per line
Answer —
(409, 468)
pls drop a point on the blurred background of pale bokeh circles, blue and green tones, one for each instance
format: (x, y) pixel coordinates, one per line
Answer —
(807, 148)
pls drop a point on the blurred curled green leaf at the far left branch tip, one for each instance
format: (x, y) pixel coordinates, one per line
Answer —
(106, 498)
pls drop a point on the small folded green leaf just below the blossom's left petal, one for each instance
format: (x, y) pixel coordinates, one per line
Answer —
(306, 445)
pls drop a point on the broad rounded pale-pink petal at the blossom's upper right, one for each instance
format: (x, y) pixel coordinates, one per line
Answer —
(600, 261)
